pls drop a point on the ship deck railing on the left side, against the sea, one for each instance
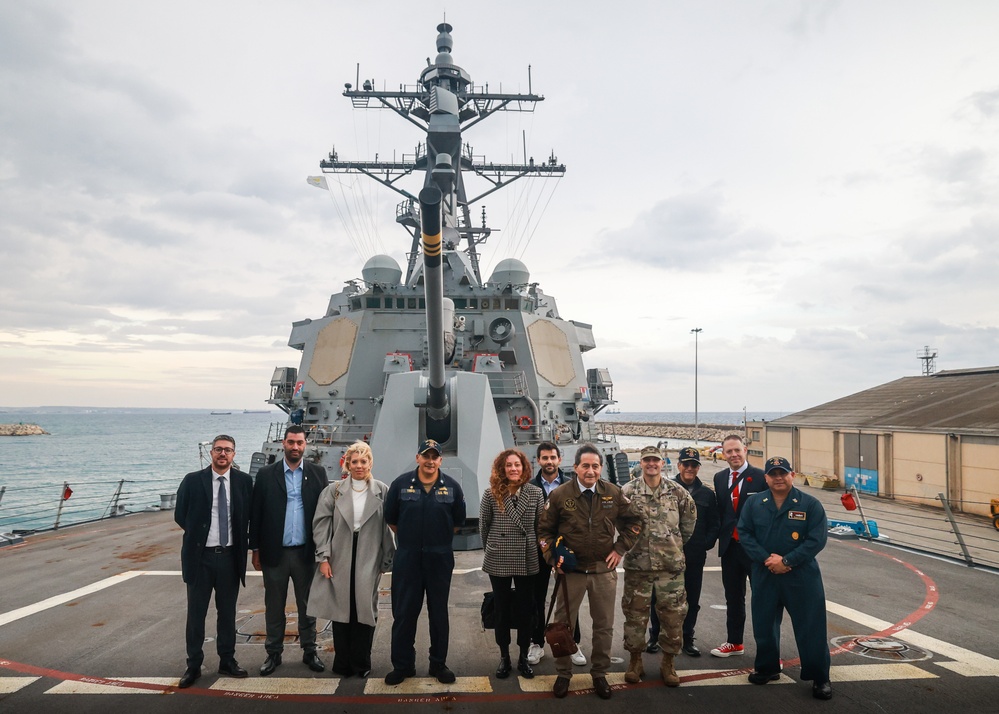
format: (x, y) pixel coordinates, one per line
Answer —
(30, 509)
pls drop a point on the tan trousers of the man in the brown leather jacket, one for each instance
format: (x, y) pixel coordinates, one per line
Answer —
(601, 592)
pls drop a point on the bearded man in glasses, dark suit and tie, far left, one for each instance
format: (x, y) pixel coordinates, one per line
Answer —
(213, 509)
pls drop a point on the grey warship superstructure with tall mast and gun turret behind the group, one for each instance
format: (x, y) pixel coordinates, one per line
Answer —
(439, 352)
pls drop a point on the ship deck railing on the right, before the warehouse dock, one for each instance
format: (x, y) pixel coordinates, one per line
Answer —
(950, 529)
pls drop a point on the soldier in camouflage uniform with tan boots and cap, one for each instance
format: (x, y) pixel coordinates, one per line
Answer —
(656, 563)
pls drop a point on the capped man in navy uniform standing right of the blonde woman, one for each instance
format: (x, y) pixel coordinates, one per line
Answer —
(424, 508)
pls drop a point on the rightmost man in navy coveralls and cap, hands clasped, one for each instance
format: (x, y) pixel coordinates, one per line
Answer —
(782, 530)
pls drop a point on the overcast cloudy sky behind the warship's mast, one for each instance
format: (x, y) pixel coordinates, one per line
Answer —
(812, 183)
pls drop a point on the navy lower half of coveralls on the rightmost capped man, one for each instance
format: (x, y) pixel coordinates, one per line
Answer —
(800, 592)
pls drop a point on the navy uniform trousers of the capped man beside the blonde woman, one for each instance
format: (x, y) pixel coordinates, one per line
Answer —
(416, 573)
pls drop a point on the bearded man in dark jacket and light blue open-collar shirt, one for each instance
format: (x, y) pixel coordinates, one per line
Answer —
(285, 495)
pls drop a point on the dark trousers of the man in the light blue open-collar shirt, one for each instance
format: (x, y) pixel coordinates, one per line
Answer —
(295, 565)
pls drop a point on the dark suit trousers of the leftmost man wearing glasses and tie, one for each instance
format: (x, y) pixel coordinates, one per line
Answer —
(216, 573)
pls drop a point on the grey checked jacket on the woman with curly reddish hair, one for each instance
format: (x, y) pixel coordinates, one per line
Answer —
(510, 536)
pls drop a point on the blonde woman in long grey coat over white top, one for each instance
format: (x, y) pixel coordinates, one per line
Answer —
(354, 547)
